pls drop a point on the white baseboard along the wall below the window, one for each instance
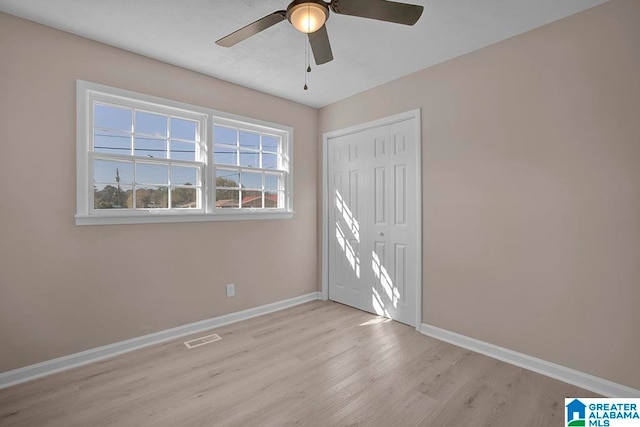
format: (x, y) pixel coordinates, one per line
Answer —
(49, 367)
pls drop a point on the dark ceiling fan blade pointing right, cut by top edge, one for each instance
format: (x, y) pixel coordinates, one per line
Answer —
(382, 10)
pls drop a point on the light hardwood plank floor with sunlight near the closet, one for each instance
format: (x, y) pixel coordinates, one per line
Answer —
(317, 364)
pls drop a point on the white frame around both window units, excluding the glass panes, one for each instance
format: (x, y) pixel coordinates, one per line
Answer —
(88, 93)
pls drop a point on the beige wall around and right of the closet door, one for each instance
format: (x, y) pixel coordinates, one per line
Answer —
(531, 175)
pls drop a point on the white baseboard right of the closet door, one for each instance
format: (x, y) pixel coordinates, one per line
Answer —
(580, 379)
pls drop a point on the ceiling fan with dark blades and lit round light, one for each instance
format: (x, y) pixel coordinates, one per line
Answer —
(309, 17)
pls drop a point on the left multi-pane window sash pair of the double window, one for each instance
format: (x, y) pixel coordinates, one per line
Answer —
(145, 159)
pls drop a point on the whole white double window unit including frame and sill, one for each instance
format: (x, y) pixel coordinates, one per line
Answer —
(146, 159)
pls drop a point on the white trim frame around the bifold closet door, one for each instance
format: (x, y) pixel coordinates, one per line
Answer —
(415, 116)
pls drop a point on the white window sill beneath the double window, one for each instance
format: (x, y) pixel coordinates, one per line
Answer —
(159, 218)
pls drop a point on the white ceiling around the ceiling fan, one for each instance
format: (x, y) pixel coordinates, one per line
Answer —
(366, 53)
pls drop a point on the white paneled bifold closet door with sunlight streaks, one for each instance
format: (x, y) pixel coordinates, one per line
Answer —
(372, 179)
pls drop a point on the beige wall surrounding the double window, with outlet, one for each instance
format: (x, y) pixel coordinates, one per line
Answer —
(64, 288)
